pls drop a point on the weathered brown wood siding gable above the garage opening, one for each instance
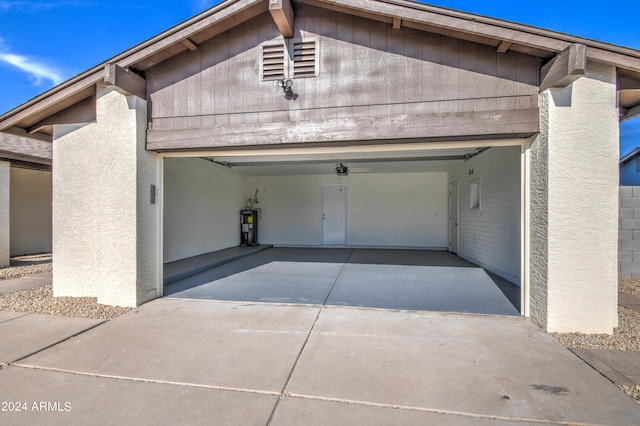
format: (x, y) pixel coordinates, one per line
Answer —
(374, 83)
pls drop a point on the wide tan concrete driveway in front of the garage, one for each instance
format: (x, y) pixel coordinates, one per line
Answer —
(177, 361)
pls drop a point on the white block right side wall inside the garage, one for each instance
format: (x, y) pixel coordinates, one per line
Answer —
(490, 236)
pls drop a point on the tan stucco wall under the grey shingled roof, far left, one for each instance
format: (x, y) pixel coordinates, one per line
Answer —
(30, 211)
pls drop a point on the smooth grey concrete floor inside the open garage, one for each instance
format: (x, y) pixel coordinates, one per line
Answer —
(387, 279)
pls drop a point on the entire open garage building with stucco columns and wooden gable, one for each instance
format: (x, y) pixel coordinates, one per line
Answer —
(436, 114)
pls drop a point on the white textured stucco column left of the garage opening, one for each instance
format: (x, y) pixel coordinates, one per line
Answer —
(105, 233)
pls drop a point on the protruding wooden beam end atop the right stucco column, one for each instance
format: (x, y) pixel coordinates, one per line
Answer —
(565, 68)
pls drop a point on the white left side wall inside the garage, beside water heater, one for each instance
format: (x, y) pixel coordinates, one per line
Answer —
(202, 203)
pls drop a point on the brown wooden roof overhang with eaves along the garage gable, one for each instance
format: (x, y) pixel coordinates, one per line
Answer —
(37, 116)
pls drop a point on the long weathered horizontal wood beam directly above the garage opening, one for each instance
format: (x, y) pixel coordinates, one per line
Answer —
(349, 130)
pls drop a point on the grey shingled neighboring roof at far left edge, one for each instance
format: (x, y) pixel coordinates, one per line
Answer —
(25, 152)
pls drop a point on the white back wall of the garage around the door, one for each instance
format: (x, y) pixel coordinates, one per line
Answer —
(391, 209)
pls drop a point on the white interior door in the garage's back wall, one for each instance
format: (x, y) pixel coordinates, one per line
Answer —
(334, 214)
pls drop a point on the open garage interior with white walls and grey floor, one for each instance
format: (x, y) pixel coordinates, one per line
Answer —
(402, 207)
